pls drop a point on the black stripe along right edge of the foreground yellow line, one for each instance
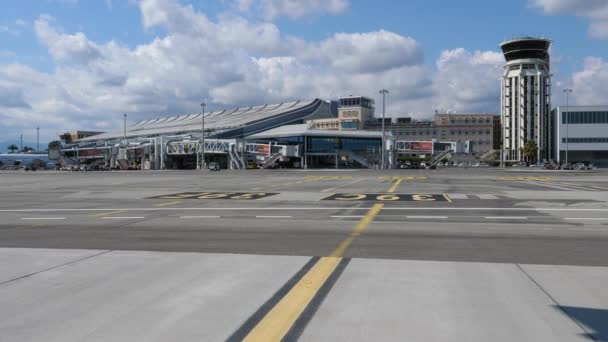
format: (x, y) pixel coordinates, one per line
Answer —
(300, 324)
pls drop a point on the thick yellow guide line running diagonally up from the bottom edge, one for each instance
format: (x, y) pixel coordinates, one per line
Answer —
(276, 324)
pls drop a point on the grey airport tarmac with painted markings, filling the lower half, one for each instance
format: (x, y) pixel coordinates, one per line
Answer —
(347, 255)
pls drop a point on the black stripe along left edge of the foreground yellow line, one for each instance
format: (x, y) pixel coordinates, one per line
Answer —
(257, 316)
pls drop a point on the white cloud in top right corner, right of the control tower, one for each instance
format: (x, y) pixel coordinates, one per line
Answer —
(595, 10)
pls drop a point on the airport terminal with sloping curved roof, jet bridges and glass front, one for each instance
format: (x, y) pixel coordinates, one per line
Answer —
(258, 136)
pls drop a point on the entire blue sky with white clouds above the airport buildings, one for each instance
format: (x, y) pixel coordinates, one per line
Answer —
(76, 64)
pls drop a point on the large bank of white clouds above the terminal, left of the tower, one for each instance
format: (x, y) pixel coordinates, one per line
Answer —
(231, 61)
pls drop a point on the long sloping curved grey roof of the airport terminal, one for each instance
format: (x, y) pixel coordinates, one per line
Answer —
(230, 123)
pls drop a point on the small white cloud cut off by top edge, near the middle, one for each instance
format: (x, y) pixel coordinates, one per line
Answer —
(294, 9)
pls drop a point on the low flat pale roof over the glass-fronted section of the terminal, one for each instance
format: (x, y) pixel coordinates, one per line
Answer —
(306, 130)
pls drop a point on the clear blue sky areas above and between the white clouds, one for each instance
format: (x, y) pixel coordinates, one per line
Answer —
(437, 24)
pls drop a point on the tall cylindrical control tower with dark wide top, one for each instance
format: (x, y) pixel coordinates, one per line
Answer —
(526, 97)
